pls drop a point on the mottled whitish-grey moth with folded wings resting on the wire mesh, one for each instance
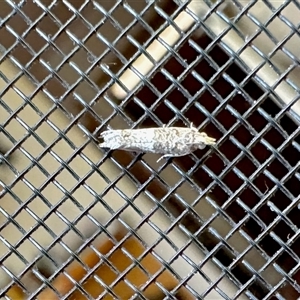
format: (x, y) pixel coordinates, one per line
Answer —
(168, 141)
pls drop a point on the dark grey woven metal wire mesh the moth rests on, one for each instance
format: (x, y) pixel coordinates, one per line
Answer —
(258, 224)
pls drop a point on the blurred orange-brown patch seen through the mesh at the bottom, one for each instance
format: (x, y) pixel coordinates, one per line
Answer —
(137, 275)
